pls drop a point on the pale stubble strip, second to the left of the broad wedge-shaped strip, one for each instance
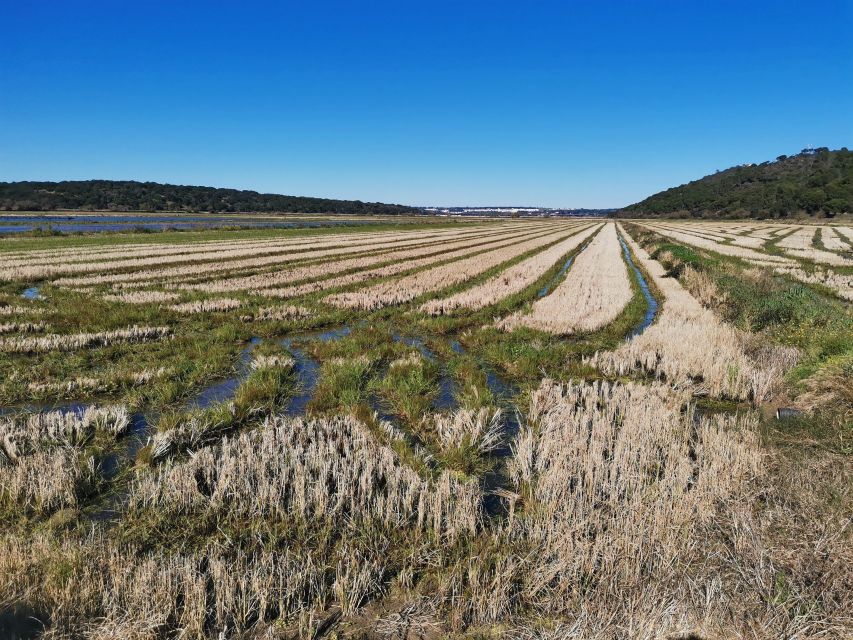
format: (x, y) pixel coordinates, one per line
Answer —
(437, 278)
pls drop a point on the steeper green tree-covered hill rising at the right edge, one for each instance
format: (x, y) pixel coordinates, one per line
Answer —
(814, 182)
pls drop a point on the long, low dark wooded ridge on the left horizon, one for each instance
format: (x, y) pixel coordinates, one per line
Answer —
(111, 195)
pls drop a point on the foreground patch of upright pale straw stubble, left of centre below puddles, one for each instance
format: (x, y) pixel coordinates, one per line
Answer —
(318, 468)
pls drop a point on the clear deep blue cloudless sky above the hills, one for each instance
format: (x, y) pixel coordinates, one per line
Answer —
(590, 104)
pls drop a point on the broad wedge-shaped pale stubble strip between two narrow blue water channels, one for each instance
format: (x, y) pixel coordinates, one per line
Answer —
(594, 293)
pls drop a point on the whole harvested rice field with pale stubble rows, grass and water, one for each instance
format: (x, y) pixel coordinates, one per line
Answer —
(543, 428)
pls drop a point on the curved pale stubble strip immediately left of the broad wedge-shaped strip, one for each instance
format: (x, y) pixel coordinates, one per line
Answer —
(508, 282)
